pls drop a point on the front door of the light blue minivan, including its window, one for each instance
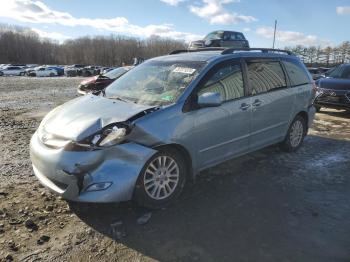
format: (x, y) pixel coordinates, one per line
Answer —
(222, 132)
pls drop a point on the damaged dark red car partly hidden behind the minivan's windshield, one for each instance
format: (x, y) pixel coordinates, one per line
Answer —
(97, 83)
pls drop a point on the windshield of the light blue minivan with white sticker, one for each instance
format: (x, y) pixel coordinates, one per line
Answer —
(155, 82)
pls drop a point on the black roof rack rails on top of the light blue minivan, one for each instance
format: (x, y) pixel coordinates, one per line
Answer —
(226, 51)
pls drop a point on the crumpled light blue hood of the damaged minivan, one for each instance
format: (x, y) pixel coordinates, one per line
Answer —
(84, 116)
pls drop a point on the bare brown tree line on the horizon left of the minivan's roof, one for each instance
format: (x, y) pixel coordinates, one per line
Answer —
(20, 45)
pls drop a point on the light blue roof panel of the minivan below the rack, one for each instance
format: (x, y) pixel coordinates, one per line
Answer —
(210, 56)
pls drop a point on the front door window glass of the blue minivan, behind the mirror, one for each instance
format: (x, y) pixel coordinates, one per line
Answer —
(227, 80)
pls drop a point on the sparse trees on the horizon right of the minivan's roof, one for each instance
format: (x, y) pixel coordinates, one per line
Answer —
(327, 56)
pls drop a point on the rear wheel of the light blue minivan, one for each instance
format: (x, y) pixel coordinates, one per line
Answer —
(295, 135)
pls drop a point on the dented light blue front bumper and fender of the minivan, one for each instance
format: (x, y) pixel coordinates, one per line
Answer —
(71, 173)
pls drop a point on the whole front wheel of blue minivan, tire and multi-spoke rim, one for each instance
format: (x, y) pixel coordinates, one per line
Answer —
(161, 180)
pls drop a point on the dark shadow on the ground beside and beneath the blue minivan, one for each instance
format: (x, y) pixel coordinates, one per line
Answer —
(265, 206)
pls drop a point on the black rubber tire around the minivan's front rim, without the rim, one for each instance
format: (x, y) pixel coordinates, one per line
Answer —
(140, 195)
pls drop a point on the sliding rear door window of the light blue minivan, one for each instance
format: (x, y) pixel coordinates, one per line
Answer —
(266, 76)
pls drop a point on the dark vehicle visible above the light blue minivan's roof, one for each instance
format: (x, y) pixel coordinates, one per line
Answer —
(230, 39)
